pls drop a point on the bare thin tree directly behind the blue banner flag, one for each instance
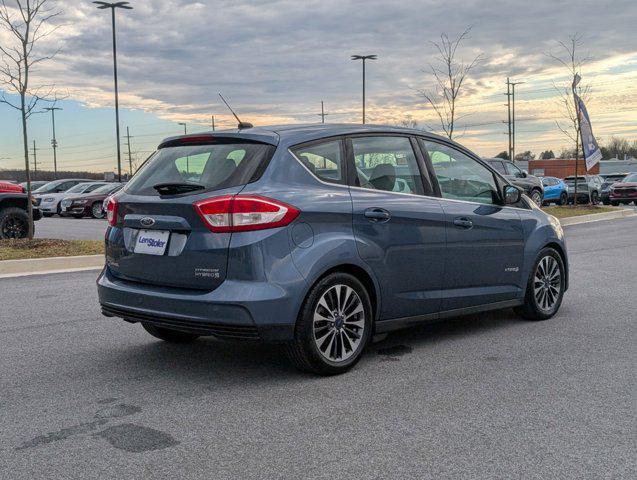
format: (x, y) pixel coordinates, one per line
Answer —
(568, 55)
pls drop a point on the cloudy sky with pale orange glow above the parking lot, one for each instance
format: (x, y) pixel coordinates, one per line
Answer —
(276, 60)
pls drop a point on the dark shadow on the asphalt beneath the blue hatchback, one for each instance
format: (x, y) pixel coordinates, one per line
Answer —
(208, 360)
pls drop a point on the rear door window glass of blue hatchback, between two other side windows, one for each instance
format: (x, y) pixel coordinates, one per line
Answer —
(387, 163)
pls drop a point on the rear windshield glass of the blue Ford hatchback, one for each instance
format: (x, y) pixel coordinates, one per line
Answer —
(218, 166)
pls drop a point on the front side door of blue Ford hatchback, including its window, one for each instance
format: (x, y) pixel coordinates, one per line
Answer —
(485, 241)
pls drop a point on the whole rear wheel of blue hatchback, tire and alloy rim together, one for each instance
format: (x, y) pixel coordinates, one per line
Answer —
(333, 327)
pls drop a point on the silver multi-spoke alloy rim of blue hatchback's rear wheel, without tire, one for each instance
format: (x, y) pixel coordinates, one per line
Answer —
(338, 323)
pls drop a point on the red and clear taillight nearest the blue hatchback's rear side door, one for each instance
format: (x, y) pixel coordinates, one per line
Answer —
(243, 213)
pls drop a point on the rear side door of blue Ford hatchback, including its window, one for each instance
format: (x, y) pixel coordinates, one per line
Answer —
(398, 223)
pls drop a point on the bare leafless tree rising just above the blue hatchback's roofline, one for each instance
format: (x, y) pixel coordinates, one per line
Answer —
(450, 75)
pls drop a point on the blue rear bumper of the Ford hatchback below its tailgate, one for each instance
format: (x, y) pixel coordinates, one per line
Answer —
(235, 310)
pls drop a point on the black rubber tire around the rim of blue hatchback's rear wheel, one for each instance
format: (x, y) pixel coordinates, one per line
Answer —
(303, 350)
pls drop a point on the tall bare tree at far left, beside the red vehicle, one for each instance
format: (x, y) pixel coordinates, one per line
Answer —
(26, 23)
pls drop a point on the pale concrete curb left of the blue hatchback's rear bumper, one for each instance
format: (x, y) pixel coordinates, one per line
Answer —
(43, 266)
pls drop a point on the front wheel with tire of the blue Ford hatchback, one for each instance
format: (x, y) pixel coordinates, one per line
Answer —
(545, 287)
